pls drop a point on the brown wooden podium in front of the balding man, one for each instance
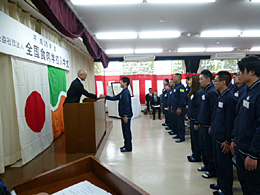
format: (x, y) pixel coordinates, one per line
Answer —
(85, 125)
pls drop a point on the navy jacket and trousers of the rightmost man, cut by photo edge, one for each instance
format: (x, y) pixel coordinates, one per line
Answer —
(247, 138)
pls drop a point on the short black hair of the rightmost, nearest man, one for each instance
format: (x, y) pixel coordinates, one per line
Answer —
(250, 63)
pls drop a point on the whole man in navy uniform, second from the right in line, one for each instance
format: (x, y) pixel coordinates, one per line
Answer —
(221, 129)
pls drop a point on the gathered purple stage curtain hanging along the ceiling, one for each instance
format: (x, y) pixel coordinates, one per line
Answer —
(62, 18)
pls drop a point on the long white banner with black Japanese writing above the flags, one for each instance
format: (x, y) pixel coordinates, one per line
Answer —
(18, 40)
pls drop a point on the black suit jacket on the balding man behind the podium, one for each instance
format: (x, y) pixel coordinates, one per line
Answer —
(75, 91)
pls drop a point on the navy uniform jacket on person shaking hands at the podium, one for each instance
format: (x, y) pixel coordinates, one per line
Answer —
(125, 103)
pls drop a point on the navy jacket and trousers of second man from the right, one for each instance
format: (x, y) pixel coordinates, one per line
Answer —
(221, 129)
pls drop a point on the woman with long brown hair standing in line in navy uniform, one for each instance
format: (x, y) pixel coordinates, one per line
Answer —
(193, 112)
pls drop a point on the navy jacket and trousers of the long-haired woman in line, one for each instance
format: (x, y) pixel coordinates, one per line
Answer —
(193, 112)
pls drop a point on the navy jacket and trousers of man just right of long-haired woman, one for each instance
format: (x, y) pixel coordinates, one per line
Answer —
(208, 105)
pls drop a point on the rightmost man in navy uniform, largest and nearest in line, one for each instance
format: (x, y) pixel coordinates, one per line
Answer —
(246, 143)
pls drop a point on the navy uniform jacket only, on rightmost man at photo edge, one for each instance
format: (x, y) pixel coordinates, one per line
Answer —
(247, 123)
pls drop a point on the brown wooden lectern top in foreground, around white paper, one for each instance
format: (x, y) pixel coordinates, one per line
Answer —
(88, 168)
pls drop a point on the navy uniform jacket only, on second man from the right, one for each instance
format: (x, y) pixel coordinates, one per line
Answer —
(223, 122)
